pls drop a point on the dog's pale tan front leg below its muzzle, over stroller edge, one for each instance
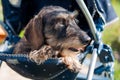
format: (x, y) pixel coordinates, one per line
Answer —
(70, 59)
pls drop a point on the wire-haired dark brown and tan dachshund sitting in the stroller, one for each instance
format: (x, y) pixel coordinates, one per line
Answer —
(53, 33)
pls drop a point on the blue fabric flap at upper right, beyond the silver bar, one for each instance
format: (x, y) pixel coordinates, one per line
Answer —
(104, 7)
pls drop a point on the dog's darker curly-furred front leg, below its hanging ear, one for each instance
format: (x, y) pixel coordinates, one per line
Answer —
(44, 53)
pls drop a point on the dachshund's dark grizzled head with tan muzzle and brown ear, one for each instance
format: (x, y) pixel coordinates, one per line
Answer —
(56, 27)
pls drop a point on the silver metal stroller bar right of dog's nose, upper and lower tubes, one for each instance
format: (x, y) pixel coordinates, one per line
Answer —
(93, 29)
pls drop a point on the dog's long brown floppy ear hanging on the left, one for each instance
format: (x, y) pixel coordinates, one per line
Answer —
(33, 32)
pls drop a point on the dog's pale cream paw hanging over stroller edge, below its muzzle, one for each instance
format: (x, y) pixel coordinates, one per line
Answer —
(72, 63)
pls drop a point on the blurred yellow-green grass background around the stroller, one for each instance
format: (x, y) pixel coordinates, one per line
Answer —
(111, 36)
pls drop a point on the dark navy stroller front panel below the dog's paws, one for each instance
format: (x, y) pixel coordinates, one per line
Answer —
(52, 69)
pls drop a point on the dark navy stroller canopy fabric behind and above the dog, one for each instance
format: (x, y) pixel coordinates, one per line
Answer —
(29, 8)
